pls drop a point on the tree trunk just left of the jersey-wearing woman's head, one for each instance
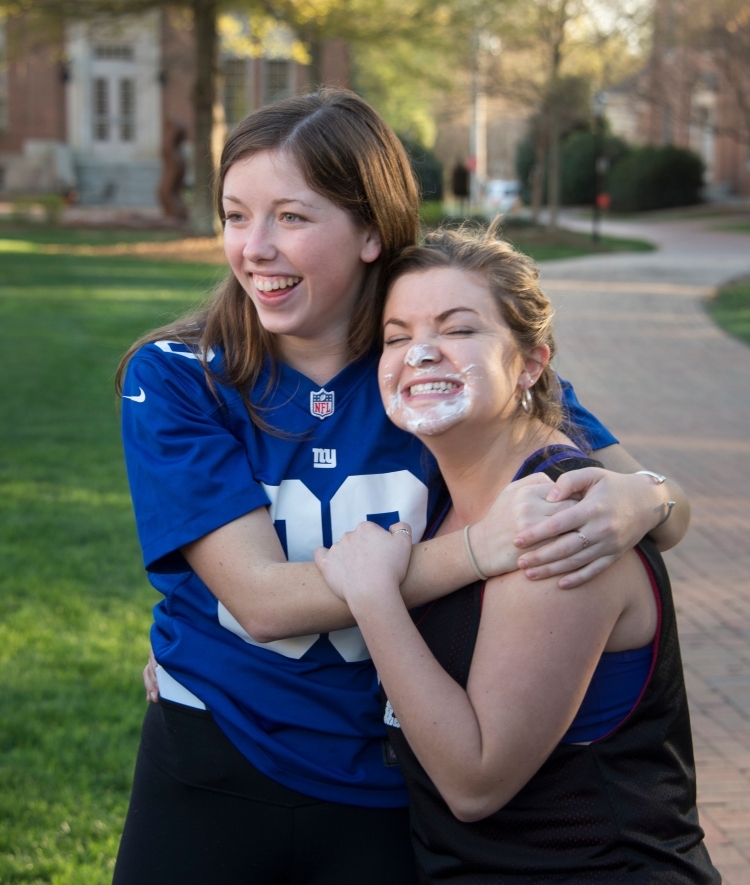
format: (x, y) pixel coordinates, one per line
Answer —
(206, 66)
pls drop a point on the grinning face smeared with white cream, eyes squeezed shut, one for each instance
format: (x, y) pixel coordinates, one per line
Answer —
(449, 356)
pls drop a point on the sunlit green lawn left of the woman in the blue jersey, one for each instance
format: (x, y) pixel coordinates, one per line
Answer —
(74, 601)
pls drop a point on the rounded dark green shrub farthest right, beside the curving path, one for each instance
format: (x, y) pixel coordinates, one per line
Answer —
(655, 178)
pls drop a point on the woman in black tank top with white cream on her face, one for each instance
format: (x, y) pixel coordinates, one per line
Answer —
(544, 736)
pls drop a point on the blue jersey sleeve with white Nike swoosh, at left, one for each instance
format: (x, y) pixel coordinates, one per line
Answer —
(188, 473)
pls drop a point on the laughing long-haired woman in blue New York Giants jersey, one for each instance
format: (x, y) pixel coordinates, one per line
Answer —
(253, 433)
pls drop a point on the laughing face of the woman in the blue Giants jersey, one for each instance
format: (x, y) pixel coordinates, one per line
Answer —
(299, 256)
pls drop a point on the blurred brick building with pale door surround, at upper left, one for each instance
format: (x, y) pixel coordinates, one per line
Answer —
(86, 111)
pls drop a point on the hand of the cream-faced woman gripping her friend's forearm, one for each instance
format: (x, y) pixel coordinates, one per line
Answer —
(367, 561)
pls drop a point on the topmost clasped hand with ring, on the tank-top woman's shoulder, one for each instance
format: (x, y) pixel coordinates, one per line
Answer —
(615, 512)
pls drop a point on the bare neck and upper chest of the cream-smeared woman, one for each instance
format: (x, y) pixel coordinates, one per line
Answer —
(478, 464)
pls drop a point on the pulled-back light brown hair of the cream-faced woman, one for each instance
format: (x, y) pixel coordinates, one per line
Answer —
(512, 278)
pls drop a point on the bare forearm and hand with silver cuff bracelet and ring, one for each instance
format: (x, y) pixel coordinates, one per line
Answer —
(618, 508)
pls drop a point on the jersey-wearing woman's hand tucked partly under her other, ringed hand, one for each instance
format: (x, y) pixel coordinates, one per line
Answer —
(520, 506)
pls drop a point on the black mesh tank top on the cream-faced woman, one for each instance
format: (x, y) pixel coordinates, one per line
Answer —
(621, 809)
